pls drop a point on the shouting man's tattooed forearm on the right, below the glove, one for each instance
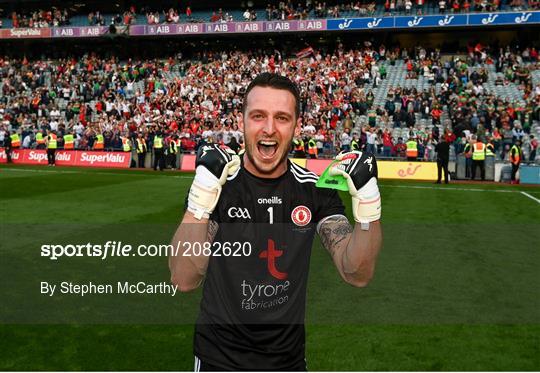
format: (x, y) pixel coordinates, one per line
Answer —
(354, 251)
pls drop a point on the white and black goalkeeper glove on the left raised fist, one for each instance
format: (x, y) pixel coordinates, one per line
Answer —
(213, 165)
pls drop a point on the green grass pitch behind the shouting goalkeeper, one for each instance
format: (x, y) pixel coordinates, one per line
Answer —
(457, 285)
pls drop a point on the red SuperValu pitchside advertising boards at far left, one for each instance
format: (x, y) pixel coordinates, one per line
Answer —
(69, 158)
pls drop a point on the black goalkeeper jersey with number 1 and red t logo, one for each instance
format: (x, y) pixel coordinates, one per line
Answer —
(253, 306)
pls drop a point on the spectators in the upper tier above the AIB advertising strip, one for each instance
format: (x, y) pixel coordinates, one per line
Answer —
(284, 10)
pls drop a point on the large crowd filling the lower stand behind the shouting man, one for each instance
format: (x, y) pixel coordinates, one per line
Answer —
(200, 99)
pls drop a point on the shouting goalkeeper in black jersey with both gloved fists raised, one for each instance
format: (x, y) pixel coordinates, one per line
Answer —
(272, 205)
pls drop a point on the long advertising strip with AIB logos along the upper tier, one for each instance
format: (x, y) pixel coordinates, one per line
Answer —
(522, 18)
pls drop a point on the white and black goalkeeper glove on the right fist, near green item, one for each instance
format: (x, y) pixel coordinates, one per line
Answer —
(360, 171)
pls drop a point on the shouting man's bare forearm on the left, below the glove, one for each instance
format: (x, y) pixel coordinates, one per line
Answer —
(187, 272)
